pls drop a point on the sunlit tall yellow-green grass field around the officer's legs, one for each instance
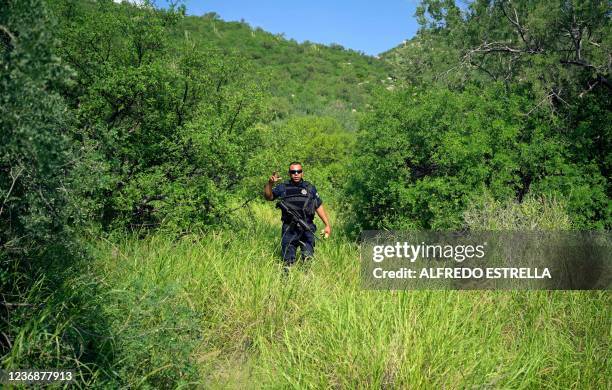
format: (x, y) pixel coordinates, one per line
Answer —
(215, 310)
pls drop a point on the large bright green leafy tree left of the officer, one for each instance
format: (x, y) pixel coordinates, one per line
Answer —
(171, 122)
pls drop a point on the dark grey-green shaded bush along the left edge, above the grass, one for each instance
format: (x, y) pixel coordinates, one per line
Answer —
(34, 148)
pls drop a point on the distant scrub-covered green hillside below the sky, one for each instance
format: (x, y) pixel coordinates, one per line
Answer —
(309, 78)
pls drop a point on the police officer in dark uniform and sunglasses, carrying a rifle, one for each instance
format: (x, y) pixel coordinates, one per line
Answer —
(302, 197)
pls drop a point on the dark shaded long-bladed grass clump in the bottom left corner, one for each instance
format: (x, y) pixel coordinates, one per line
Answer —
(58, 322)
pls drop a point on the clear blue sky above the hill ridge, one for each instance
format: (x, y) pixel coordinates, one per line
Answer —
(368, 26)
